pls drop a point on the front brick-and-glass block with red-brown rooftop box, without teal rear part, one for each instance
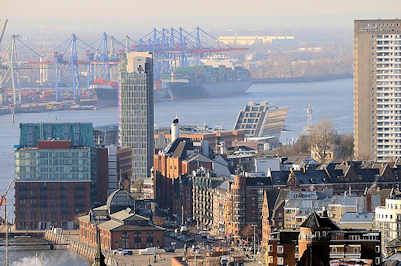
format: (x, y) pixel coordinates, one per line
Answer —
(53, 181)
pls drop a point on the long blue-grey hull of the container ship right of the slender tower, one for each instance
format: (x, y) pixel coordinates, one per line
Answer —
(208, 89)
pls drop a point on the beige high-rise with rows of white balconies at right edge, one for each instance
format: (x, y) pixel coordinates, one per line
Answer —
(377, 89)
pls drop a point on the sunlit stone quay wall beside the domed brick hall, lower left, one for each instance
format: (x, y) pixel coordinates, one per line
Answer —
(78, 247)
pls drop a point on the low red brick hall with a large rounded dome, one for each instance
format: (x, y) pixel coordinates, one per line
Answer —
(119, 225)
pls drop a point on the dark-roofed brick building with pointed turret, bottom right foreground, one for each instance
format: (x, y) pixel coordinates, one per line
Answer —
(320, 242)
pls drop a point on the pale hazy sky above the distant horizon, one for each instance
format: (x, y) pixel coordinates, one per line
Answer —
(108, 13)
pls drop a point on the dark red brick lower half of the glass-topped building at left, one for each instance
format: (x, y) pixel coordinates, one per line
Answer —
(40, 205)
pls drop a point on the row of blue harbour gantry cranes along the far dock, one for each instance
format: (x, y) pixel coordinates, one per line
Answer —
(75, 63)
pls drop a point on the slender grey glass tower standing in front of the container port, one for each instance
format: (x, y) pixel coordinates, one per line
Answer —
(137, 111)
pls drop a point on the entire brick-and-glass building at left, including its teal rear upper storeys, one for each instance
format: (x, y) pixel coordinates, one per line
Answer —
(59, 174)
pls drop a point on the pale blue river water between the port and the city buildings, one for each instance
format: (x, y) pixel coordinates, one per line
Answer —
(331, 100)
